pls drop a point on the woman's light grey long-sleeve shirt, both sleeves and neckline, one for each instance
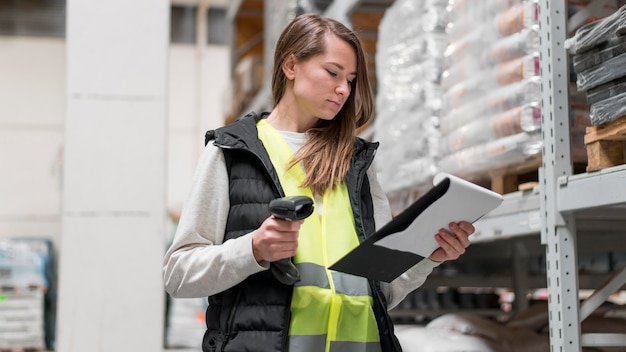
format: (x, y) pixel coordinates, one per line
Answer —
(199, 263)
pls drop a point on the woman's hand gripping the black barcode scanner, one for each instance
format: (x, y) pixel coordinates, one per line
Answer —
(275, 239)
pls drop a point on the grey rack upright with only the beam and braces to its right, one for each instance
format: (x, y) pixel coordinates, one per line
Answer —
(562, 194)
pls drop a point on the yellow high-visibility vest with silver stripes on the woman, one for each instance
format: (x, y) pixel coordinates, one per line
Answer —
(330, 311)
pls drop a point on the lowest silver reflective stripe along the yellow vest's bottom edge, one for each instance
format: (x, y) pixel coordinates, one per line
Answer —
(317, 343)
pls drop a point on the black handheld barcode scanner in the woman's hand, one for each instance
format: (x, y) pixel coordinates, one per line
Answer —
(291, 208)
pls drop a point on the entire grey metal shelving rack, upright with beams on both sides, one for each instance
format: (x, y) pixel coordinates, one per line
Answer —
(563, 201)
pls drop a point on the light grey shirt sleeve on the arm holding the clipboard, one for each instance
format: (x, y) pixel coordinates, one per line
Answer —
(415, 276)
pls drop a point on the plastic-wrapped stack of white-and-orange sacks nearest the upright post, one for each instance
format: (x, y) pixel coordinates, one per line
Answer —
(492, 88)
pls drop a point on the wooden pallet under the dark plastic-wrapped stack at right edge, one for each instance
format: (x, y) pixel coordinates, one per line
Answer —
(605, 144)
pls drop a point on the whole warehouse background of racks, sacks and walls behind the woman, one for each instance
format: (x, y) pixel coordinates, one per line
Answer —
(105, 106)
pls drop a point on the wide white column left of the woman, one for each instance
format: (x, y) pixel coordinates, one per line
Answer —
(111, 296)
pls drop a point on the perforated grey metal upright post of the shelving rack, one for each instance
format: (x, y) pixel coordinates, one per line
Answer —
(558, 232)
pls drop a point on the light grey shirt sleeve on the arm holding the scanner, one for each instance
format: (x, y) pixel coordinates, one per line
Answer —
(198, 263)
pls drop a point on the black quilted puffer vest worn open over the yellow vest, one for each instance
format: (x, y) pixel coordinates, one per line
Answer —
(254, 315)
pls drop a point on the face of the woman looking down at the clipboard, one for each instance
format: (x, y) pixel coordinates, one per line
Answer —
(321, 84)
